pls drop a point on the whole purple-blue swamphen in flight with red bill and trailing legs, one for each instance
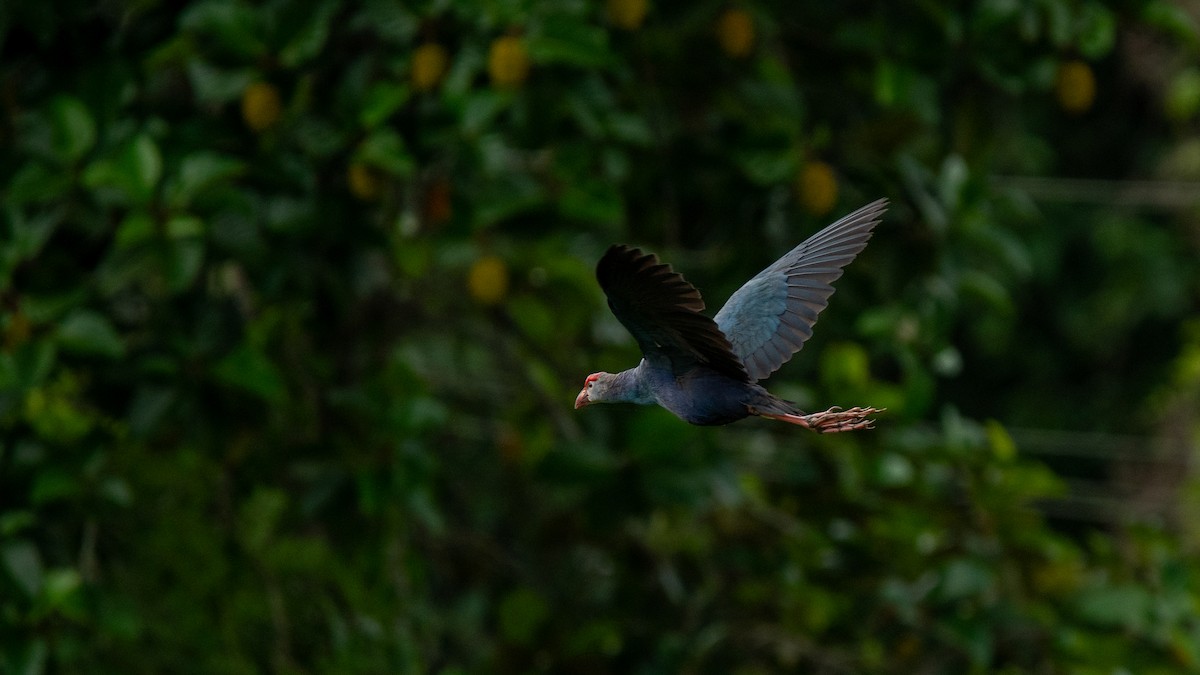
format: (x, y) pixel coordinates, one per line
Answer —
(706, 371)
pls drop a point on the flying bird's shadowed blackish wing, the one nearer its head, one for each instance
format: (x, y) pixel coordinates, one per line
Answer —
(662, 310)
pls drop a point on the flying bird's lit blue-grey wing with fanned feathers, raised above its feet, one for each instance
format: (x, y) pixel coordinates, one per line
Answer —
(772, 315)
